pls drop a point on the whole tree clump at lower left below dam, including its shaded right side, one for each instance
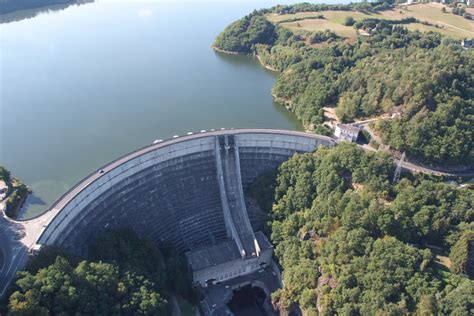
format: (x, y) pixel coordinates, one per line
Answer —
(121, 275)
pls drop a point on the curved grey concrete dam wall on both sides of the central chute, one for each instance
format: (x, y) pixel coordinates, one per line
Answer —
(169, 190)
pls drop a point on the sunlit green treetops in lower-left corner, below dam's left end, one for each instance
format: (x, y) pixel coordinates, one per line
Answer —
(88, 288)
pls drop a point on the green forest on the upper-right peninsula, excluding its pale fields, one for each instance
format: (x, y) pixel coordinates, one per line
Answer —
(427, 78)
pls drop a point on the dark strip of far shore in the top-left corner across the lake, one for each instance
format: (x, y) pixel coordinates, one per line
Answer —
(14, 10)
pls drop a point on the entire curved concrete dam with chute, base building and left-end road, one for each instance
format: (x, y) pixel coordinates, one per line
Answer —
(188, 190)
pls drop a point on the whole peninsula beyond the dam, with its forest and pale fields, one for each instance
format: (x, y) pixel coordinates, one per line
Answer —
(389, 68)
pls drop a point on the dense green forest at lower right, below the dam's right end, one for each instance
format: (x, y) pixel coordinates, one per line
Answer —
(351, 242)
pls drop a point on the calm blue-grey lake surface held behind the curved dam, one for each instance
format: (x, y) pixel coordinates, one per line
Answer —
(81, 86)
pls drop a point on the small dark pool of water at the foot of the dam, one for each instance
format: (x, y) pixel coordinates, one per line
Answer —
(248, 301)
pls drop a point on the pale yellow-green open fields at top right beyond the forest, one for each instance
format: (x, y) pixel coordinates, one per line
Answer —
(449, 24)
